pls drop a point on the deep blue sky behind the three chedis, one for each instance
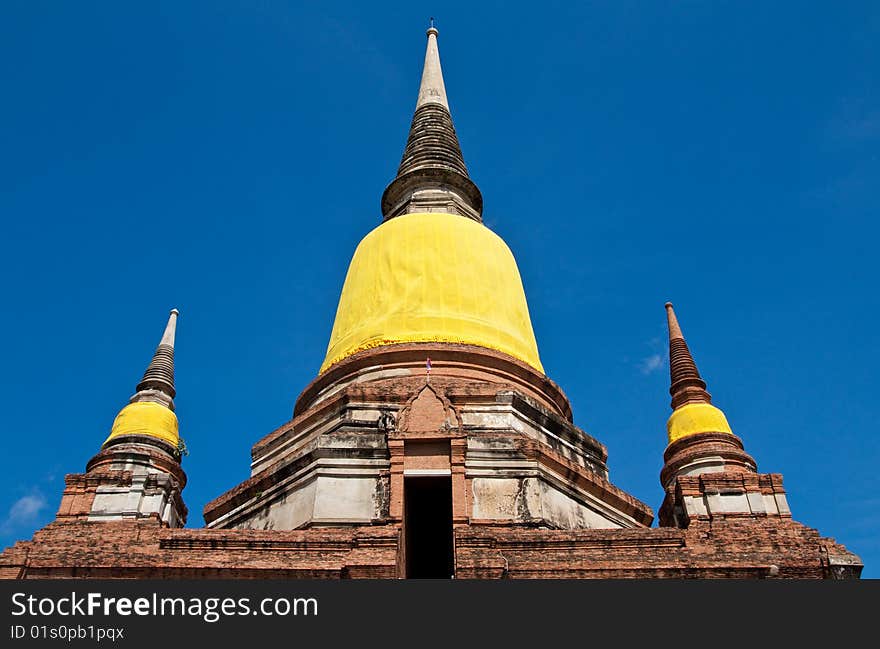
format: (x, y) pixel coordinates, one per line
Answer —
(226, 157)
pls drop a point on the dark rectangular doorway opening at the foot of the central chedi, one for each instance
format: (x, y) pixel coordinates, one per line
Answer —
(428, 526)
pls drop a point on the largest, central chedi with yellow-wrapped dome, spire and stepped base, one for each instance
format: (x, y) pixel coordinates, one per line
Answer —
(431, 408)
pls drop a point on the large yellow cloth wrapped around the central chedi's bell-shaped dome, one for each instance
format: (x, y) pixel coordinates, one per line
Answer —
(433, 278)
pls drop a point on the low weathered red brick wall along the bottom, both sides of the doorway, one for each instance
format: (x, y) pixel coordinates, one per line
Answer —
(738, 548)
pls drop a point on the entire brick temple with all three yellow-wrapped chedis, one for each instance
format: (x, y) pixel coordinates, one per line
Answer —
(431, 443)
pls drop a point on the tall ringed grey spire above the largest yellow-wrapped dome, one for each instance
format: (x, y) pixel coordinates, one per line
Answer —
(432, 176)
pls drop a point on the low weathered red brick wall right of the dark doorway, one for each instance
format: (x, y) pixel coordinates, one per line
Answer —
(737, 548)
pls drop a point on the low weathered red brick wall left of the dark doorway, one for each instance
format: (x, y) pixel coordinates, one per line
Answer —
(146, 549)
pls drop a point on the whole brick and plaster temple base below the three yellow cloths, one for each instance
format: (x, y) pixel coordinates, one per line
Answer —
(529, 490)
